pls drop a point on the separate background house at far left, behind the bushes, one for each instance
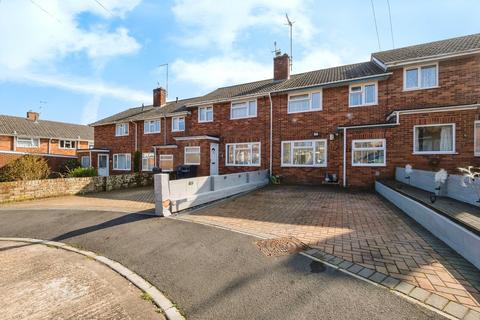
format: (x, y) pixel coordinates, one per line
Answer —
(54, 141)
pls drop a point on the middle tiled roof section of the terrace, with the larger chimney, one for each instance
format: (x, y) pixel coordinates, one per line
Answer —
(307, 79)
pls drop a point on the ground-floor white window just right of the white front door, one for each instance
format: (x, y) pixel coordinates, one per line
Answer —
(243, 154)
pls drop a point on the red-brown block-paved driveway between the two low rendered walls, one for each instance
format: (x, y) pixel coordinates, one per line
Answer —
(359, 227)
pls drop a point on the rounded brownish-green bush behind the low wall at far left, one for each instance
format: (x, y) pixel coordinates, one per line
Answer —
(28, 167)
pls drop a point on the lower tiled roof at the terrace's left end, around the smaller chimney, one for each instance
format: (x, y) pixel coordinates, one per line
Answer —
(147, 112)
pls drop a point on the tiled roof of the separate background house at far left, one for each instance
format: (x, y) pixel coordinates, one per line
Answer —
(43, 128)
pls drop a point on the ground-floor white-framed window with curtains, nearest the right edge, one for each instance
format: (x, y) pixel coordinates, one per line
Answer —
(434, 139)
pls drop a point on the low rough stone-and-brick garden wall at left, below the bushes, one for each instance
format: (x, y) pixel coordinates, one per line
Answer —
(35, 189)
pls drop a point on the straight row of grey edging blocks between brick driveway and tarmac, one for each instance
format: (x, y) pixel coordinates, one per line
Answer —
(430, 300)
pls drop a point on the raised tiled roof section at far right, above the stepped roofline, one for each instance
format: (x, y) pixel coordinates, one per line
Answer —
(442, 47)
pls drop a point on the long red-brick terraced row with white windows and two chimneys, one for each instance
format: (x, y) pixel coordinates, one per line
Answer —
(349, 124)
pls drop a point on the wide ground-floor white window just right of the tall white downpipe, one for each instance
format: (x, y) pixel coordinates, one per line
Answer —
(304, 153)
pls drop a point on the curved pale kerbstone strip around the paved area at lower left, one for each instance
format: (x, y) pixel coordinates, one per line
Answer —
(160, 300)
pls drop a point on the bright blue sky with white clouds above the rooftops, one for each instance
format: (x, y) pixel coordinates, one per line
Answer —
(78, 62)
